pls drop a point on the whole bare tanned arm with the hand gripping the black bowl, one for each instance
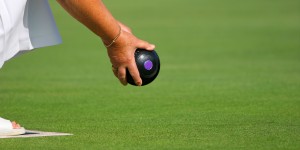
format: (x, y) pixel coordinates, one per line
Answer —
(94, 15)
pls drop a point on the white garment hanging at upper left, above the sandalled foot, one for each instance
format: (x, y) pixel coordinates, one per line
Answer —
(25, 25)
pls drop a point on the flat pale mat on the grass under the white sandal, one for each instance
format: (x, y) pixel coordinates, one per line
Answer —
(33, 133)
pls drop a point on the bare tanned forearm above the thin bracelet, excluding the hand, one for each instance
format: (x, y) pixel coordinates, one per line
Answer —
(94, 15)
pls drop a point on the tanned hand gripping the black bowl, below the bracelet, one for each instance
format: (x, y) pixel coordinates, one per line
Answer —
(121, 55)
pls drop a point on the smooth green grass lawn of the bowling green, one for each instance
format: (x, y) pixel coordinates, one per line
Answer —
(230, 79)
